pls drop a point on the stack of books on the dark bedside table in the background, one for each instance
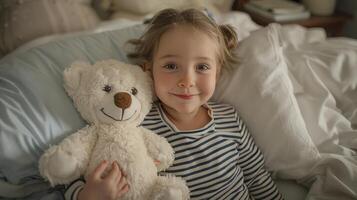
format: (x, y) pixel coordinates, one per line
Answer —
(278, 10)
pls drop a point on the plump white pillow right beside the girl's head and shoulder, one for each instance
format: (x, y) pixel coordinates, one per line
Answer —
(263, 94)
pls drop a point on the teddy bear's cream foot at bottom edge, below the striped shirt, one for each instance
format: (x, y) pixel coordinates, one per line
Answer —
(170, 188)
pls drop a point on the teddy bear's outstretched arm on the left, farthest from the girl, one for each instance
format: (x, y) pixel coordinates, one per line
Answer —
(65, 162)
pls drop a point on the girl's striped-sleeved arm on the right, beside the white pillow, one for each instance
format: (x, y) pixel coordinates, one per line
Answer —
(257, 179)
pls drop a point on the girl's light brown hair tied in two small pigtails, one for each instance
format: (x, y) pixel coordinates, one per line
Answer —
(166, 19)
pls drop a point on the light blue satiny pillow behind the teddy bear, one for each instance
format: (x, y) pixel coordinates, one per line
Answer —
(35, 111)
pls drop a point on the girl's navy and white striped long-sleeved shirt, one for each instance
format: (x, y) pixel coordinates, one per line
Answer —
(217, 161)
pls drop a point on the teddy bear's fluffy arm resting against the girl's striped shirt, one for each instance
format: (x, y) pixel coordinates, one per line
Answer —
(159, 149)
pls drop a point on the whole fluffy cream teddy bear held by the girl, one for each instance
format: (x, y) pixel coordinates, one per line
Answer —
(113, 97)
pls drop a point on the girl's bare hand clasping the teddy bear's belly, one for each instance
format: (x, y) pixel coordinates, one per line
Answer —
(104, 186)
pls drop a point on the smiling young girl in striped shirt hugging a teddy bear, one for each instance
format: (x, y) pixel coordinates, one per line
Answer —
(214, 152)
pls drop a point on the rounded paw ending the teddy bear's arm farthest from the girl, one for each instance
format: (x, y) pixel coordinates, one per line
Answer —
(59, 167)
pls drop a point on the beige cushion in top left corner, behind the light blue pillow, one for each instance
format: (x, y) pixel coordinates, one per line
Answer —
(22, 21)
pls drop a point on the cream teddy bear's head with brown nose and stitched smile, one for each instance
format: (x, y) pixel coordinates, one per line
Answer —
(109, 91)
